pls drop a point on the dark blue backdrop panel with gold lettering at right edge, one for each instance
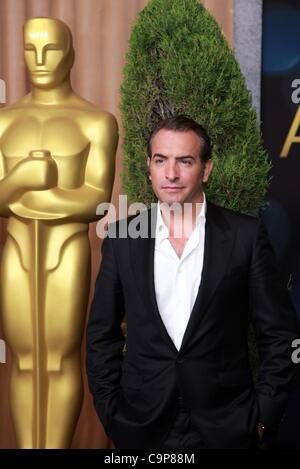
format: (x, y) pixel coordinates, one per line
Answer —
(280, 103)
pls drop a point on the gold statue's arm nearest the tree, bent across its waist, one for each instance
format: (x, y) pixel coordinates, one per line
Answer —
(79, 204)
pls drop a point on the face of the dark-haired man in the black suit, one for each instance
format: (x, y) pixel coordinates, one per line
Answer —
(175, 167)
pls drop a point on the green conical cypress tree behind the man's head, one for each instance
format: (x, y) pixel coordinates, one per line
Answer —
(179, 63)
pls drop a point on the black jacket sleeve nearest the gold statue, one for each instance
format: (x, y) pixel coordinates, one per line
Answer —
(105, 339)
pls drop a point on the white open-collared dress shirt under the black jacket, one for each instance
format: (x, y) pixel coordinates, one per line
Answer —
(177, 280)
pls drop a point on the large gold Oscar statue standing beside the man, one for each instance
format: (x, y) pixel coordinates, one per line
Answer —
(57, 162)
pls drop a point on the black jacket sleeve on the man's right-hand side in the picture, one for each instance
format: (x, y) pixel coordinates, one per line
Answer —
(275, 326)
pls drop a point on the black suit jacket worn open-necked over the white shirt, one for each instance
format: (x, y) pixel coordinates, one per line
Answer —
(135, 393)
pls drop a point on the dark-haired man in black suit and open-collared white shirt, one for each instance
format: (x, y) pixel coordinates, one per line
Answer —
(185, 380)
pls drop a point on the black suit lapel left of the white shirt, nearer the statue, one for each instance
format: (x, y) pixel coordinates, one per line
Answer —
(142, 259)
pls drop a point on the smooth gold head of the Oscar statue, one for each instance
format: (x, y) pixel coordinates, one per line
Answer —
(48, 51)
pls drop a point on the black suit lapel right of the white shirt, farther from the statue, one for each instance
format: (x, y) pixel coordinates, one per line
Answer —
(219, 242)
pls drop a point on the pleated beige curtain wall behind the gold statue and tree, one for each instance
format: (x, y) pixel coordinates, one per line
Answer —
(101, 29)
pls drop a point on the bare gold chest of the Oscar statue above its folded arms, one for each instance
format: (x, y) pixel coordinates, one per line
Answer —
(59, 130)
